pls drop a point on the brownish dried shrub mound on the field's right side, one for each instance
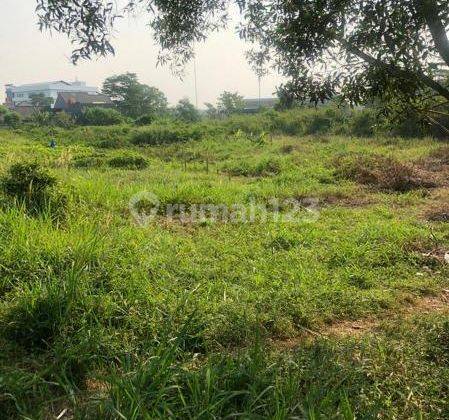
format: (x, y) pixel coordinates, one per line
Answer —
(384, 173)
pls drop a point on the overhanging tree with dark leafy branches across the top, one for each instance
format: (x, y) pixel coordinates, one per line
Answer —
(360, 50)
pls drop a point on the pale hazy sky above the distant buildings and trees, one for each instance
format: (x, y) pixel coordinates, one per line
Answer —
(27, 55)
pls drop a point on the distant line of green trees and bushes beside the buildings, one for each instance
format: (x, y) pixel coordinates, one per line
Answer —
(134, 102)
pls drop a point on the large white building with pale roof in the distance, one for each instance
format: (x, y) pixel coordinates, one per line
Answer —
(18, 95)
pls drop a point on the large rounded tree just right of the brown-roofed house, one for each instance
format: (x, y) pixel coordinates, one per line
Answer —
(134, 98)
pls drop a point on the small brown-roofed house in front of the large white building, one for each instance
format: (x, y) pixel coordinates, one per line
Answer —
(74, 102)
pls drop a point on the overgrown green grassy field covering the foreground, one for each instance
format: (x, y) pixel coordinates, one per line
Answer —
(339, 315)
